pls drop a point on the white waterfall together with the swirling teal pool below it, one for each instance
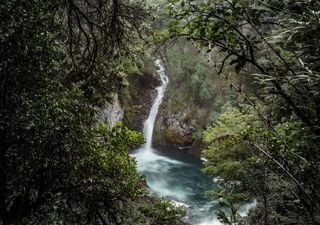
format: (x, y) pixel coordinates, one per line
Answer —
(173, 173)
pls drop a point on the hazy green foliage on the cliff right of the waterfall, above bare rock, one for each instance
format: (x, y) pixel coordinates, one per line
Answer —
(194, 87)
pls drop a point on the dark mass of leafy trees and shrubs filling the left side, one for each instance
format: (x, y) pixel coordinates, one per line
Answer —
(58, 164)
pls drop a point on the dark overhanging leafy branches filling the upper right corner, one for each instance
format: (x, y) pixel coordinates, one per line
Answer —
(272, 48)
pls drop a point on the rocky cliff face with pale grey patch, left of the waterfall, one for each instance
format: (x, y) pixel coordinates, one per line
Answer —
(133, 104)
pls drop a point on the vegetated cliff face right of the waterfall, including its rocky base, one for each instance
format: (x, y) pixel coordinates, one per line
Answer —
(188, 100)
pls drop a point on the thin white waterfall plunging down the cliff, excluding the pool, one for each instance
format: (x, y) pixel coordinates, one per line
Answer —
(149, 123)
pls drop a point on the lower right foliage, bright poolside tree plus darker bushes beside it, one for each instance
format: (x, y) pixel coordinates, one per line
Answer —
(247, 154)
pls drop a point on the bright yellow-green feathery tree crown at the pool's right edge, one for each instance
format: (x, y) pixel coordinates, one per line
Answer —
(229, 153)
